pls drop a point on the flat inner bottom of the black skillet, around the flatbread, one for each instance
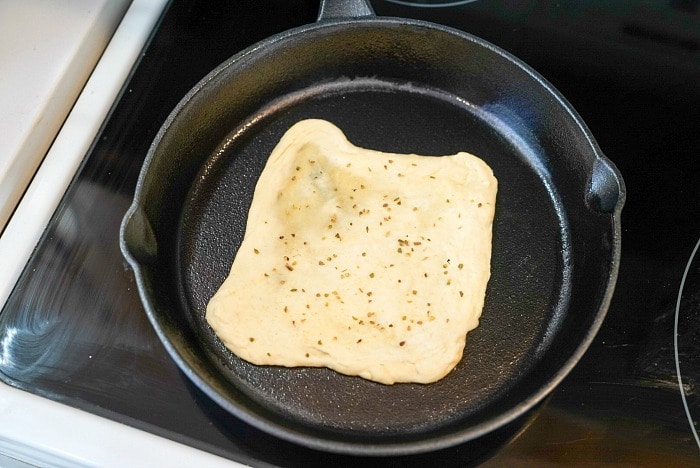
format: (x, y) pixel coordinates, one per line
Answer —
(527, 294)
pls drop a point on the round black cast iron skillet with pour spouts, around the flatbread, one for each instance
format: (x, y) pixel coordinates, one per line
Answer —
(403, 86)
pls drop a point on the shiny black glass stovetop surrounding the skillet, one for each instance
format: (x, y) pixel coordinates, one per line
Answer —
(79, 334)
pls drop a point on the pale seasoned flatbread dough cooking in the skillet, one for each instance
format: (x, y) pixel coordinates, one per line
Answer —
(372, 264)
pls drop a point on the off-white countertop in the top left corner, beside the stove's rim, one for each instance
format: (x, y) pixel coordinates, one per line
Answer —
(48, 48)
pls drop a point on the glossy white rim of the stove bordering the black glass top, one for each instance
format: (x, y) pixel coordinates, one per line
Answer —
(36, 430)
